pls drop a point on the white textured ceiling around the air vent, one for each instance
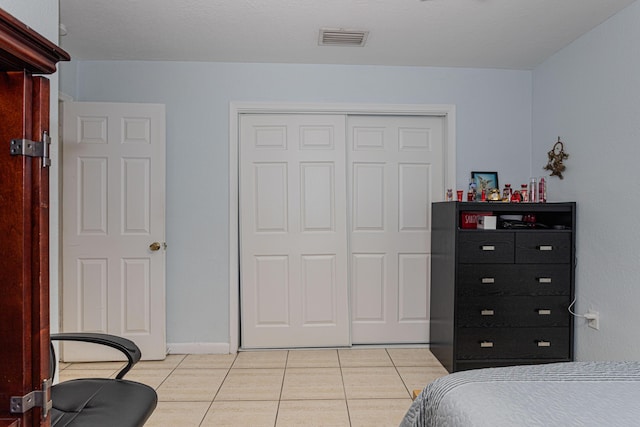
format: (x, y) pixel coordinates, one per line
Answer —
(511, 34)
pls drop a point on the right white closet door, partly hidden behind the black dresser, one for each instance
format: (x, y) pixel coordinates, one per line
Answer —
(396, 170)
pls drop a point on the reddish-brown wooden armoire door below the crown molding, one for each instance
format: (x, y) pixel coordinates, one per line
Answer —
(24, 255)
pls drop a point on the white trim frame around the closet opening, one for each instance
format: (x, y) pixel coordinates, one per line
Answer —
(448, 111)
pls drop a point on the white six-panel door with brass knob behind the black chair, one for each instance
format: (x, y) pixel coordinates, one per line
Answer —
(114, 226)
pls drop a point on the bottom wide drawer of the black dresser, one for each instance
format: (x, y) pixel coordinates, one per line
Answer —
(512, 343)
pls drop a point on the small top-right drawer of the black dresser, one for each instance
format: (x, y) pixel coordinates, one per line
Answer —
(543, 247)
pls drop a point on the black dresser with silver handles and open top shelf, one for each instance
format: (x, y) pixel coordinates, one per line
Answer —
(500, 297)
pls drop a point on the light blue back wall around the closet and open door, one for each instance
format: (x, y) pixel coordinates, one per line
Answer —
(493, 133)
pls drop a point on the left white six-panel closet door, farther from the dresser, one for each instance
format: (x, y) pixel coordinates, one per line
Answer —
(293, 246)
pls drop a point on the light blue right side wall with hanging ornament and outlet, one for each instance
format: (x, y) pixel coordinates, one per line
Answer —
(589, 94)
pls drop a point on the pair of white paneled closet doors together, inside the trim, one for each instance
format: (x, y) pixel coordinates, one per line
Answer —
(335, 228)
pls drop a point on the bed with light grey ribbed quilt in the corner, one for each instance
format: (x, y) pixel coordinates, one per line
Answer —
(557, 394)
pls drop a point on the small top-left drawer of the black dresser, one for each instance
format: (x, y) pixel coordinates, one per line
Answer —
(486, 247)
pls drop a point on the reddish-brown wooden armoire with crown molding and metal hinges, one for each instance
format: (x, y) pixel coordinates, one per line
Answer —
(24, 222)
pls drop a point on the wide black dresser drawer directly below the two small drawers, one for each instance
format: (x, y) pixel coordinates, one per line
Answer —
(514, 279)
